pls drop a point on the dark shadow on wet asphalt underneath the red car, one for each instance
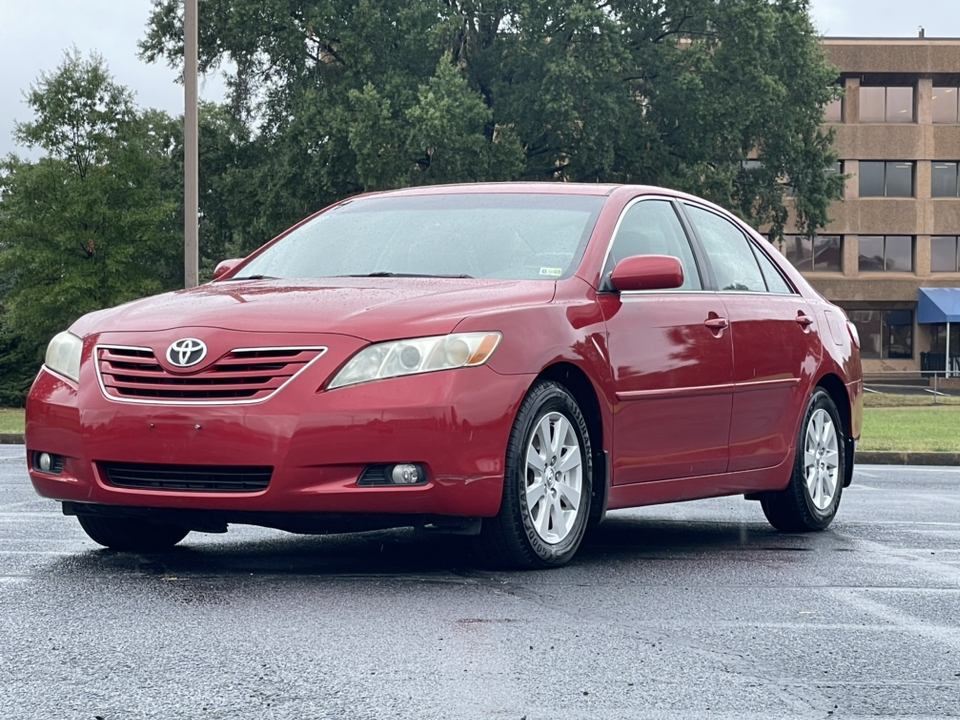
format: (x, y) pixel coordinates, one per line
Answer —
(405, 552)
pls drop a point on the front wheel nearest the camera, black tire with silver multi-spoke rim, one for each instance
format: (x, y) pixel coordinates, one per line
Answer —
(549, 533)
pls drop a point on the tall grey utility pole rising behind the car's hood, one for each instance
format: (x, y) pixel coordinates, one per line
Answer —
(191, 194)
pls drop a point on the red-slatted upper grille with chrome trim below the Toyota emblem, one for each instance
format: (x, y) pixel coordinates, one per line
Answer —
(135, 374)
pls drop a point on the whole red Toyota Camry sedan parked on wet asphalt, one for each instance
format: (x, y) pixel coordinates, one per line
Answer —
(509, 361)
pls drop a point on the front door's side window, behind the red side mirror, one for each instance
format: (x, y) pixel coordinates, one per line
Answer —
(651, 227)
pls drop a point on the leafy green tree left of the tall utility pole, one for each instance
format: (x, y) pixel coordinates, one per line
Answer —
(94, 222)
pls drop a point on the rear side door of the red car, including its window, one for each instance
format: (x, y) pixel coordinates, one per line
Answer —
(775, 344)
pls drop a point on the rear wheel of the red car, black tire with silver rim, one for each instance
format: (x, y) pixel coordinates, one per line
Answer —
(808, 502)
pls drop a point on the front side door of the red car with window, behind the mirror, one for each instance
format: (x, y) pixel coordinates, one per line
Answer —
(671, 359)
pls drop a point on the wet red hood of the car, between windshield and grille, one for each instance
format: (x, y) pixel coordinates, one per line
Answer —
(373, 309)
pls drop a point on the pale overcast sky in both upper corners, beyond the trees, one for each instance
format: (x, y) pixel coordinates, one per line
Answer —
(34, 34)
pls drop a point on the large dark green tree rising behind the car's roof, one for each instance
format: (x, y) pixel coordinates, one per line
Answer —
(346, 96)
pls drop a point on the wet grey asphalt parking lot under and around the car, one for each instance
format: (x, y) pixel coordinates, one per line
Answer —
(693, 610)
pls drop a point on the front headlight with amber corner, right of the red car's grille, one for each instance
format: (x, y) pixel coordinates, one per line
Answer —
(420, 355)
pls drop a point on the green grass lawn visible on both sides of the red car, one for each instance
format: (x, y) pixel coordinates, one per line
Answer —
(890, 422)
